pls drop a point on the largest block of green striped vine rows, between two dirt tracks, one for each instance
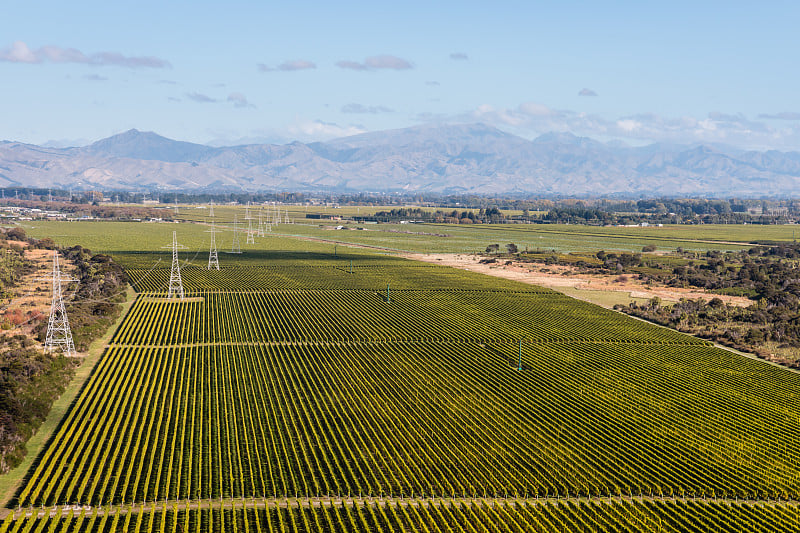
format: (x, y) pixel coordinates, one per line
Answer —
(423, 419)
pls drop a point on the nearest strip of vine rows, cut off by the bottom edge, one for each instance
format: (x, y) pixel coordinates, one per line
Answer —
(428, 516)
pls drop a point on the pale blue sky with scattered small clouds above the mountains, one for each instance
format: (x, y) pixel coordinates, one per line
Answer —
(264, 71)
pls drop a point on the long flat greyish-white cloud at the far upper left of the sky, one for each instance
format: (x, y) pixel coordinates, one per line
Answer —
(19, 52)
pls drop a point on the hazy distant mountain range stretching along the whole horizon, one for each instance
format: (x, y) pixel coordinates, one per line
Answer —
(446, 159)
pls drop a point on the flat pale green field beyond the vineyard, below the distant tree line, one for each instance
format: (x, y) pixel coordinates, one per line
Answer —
(438, 238)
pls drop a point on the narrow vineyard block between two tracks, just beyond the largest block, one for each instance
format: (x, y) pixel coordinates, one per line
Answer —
(333, 316)
